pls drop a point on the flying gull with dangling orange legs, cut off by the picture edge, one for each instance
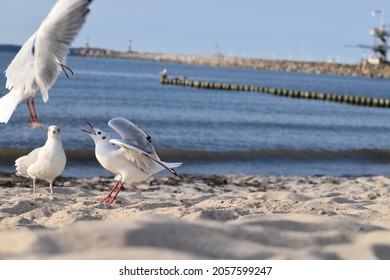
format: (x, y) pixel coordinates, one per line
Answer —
(37, 64)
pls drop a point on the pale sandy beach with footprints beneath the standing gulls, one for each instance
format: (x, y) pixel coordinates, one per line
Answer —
(215, 217)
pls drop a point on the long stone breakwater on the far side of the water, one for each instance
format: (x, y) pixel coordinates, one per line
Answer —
(361, 69)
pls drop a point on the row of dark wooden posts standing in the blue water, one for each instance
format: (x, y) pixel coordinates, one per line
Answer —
(355, 100)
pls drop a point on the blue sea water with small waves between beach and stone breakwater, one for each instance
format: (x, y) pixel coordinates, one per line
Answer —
(211, 132)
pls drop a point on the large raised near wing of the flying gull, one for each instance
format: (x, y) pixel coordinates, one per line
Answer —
(53, 40)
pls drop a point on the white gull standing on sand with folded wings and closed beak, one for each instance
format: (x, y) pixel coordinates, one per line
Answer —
(46, 162)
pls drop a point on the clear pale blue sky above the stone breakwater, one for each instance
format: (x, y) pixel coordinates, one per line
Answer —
(281, 29)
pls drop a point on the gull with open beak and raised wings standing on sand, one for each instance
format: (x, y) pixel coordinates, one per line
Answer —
(132, 158)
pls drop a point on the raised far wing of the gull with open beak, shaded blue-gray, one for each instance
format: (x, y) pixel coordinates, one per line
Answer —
(132, 134)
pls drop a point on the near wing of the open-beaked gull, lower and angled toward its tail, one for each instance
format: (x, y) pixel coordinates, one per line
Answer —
(134, 152)
